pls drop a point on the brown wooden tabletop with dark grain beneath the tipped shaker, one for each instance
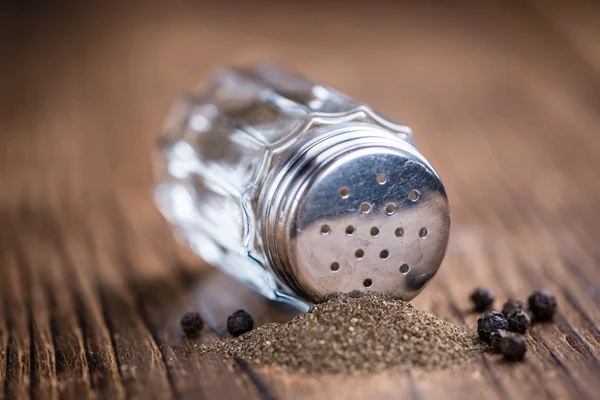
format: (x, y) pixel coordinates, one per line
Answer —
(504, 98)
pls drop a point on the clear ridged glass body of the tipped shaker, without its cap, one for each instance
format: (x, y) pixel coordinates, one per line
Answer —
(218, 146)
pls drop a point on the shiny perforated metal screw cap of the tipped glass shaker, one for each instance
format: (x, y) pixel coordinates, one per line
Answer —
(356, 209)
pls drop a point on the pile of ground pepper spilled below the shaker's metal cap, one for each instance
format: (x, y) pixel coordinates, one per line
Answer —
(355, 334)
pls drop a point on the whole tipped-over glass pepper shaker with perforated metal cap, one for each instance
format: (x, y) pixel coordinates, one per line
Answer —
(298, 190)
